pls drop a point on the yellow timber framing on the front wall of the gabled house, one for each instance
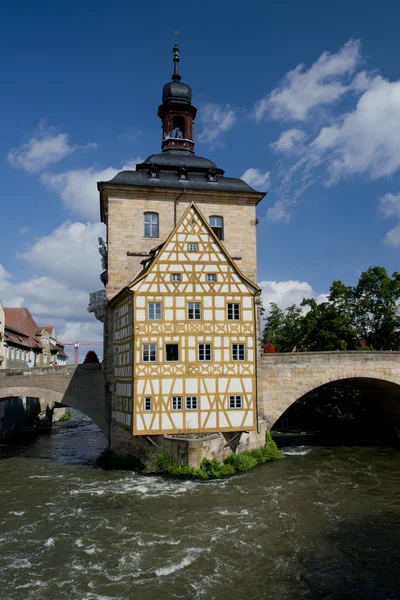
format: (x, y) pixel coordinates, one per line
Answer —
(183, 331)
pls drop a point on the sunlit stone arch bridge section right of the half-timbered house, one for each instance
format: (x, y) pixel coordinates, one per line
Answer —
(287, 377)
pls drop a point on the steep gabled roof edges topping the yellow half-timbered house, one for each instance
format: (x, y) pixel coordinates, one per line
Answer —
(157, 252)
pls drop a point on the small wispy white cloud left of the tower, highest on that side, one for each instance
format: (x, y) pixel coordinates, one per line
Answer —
(47, 148)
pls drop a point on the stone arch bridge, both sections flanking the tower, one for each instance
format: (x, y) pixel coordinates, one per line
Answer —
(285, 379)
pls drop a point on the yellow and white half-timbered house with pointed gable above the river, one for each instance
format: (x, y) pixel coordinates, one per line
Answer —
(185, 339)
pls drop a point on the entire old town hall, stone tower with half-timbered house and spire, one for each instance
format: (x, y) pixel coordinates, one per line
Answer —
(181, 327)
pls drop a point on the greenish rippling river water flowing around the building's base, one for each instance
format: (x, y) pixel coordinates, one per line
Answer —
(322, 524)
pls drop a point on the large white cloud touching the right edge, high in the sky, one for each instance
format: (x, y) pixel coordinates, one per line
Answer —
(365, 140)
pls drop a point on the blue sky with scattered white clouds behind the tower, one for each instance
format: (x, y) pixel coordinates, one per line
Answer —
(302, 99)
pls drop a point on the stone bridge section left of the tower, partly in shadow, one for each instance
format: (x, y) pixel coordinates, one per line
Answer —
(77, 386)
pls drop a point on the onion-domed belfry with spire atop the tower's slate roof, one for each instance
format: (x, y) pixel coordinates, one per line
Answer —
(177, 112)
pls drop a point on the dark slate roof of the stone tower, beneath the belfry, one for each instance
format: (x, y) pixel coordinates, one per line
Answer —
(168, 165)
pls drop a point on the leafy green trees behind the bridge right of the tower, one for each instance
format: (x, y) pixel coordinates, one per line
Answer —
(366, 313)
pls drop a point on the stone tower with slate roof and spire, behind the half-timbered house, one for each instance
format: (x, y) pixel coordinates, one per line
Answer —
(141, 208)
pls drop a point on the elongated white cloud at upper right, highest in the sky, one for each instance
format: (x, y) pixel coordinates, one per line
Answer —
(302, 90)
